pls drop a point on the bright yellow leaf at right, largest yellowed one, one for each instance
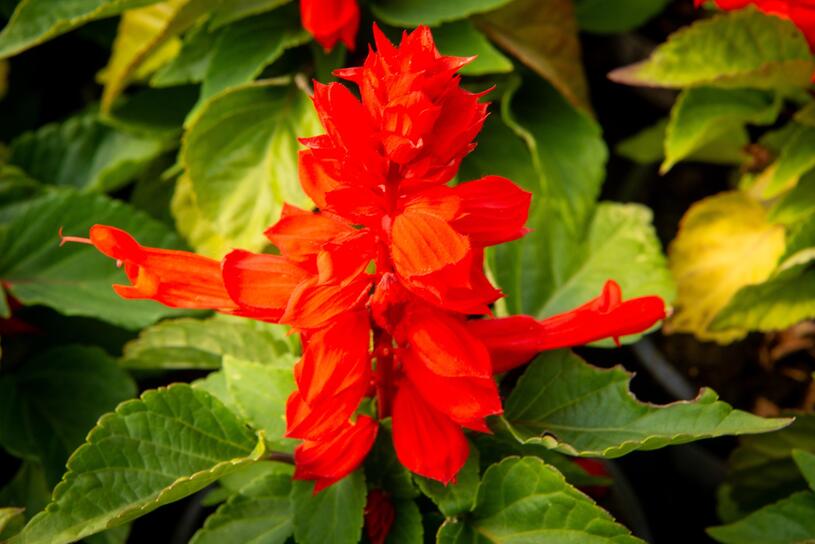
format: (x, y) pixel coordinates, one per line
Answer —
(725, 242)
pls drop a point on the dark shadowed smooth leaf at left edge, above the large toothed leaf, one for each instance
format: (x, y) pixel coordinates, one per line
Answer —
(48, 406)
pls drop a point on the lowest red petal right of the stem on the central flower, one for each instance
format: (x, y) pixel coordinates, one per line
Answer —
(426, 441)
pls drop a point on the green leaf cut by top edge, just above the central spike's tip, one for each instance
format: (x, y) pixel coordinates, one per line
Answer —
(412, 13)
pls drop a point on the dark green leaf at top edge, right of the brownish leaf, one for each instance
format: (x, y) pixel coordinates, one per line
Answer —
(605, 17)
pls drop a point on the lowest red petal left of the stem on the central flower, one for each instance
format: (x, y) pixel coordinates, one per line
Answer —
(330, 460)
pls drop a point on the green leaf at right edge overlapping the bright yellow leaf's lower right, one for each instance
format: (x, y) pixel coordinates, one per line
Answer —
(778, 303)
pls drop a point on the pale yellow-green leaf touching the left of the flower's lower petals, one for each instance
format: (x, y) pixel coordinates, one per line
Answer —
(260, 392)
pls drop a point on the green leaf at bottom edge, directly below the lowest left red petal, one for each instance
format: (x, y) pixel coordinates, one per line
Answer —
(334, 515)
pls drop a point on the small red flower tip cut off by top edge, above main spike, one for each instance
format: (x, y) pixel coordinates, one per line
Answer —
(331, 21)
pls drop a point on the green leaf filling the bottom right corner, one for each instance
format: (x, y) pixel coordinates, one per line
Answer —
(788, 521)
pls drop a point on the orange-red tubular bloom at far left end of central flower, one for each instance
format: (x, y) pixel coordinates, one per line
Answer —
(178, 279)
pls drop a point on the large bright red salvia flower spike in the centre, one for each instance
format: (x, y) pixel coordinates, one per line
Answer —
(385, 281)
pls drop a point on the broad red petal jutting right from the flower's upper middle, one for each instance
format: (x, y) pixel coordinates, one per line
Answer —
(494, 210)
